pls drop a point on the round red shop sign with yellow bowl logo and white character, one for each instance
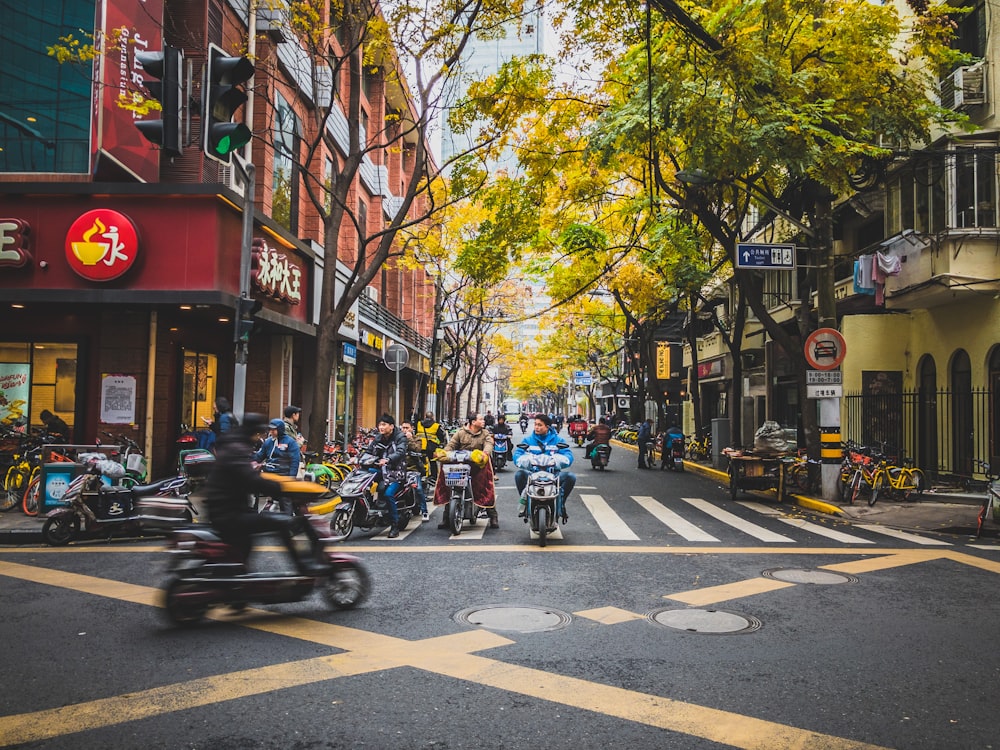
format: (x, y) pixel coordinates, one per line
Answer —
(101, 245)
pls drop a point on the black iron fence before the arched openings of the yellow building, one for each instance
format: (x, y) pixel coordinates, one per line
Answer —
(945, 432)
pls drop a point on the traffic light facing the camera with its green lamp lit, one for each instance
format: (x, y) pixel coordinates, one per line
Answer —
(222, 97)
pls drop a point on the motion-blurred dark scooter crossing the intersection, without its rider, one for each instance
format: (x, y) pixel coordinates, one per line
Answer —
(207, 572)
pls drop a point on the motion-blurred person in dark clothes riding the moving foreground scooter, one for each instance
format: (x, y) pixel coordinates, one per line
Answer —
(227, 493)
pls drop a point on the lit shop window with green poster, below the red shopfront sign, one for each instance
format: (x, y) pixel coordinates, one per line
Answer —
(35, 377)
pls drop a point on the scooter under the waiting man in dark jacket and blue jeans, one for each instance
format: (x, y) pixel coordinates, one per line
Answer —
(357, 501)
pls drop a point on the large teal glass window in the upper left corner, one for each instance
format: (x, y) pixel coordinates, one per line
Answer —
(44, 105)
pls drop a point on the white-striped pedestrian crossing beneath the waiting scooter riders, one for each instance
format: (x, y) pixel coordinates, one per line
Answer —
(694, 520)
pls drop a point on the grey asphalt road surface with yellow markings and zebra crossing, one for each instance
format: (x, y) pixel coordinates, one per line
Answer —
(697, 630)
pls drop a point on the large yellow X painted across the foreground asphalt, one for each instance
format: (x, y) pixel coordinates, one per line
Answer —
(447, 655)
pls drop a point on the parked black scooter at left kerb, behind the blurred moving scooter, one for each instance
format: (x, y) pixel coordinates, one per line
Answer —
(99, 510)
